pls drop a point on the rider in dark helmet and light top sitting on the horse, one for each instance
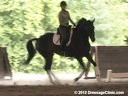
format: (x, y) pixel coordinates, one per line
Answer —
(64, 28)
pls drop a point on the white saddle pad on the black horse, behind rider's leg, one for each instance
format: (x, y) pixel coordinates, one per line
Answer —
(56, 39)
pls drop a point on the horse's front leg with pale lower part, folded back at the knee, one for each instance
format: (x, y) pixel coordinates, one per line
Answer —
(83, 67)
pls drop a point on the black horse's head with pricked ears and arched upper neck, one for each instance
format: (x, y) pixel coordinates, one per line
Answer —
(86, 27)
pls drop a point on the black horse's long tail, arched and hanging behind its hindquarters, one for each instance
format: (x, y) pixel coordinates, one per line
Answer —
(31, 50)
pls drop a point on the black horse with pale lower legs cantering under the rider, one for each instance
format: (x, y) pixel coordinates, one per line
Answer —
(79, 47)
